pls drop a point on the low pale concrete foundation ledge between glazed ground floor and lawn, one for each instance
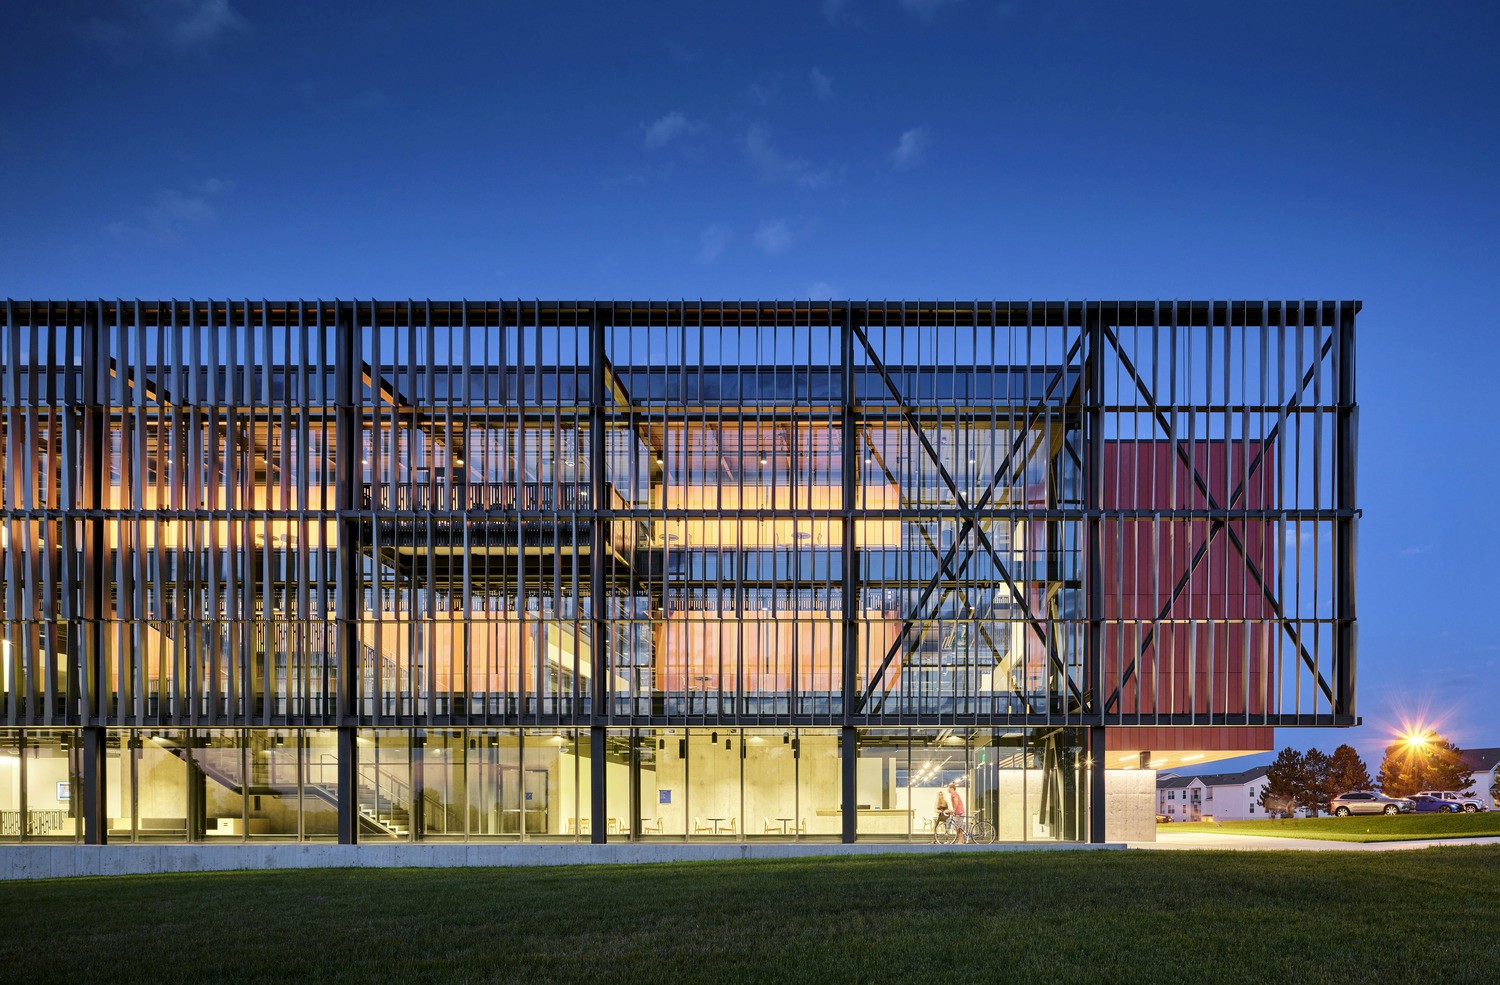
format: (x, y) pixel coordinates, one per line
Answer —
(137, 860)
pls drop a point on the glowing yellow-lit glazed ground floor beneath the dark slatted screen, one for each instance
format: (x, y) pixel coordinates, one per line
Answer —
(667, 785)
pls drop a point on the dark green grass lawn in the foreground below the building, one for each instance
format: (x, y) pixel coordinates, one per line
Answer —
(1085, 917)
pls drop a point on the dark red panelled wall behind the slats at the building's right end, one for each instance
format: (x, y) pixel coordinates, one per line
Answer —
(1210, 650)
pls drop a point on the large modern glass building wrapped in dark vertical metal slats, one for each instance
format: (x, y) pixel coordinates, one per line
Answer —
(596, 570)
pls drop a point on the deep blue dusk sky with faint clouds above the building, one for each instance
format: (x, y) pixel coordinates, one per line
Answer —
(851, 149)
